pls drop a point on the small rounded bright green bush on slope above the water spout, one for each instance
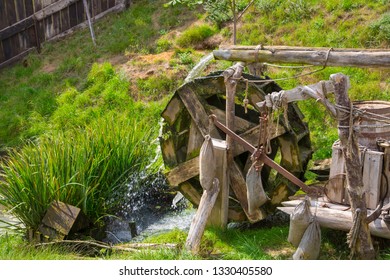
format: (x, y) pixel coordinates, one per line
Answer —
(195, 35)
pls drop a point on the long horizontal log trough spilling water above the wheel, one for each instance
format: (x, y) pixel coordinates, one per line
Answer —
(313, 56)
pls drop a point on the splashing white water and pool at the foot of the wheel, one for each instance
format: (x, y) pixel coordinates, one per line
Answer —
(148, 202)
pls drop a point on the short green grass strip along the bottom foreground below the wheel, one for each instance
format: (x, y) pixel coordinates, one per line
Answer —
(233, 244)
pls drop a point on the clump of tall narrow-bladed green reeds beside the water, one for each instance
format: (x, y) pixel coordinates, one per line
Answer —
(81, 167)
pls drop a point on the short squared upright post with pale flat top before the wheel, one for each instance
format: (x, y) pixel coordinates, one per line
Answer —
(219, 214)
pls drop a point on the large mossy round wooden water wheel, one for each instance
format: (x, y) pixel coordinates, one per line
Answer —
(186, 122)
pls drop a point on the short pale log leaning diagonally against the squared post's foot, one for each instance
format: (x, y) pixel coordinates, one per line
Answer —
(199, 221)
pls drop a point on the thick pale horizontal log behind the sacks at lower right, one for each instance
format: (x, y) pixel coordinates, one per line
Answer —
(342, 220)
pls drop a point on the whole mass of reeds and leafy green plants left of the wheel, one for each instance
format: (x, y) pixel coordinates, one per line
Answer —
(93, 140)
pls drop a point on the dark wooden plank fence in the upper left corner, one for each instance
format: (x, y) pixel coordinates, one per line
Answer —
(26, 24)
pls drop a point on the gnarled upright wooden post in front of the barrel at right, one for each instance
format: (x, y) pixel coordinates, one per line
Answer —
(359, 235)
